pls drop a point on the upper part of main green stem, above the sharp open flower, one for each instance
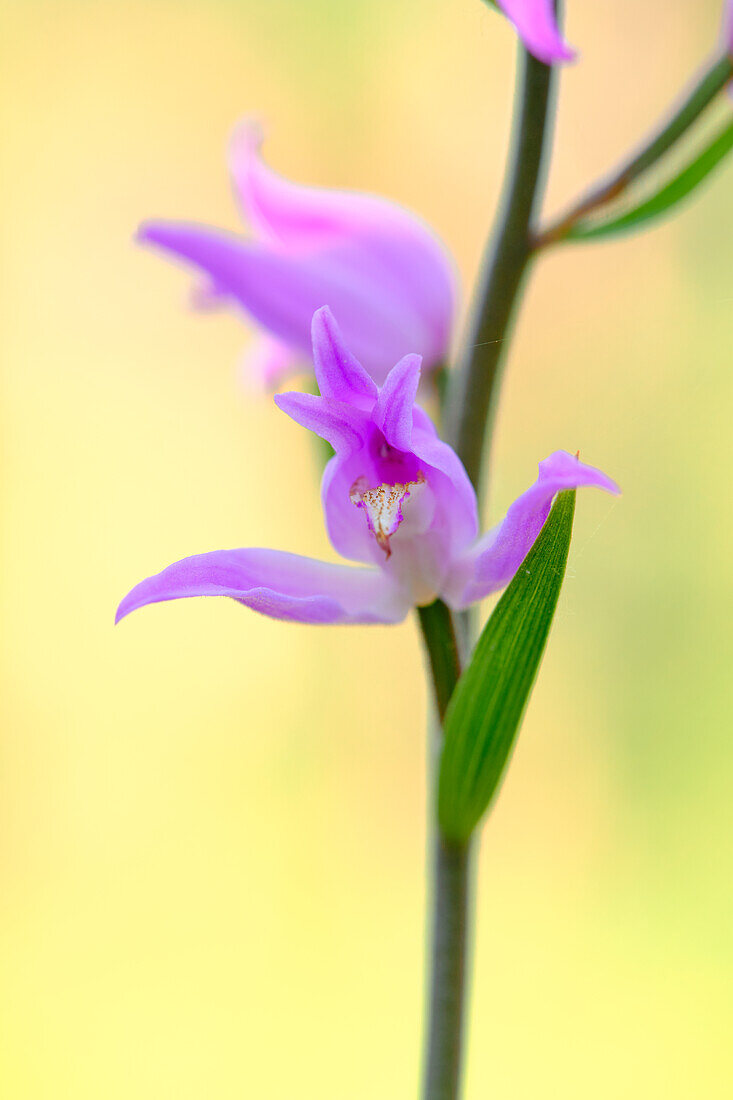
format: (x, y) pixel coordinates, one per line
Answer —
(473, 401)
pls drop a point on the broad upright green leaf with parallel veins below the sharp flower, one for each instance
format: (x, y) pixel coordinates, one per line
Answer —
(486, 710)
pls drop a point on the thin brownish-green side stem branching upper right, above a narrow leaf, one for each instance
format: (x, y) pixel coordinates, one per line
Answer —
(707, 89)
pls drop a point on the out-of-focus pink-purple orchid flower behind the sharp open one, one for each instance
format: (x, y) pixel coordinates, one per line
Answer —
(388, 277)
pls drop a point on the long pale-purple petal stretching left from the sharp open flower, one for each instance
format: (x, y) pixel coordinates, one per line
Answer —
(281, 586)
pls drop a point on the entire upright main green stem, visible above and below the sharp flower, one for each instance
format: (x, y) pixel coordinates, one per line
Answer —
(472, 400)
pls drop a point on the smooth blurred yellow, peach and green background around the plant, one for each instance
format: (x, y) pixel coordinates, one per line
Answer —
(212, 826)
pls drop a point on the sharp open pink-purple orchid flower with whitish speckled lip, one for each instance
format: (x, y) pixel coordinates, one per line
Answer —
(397, 500)
